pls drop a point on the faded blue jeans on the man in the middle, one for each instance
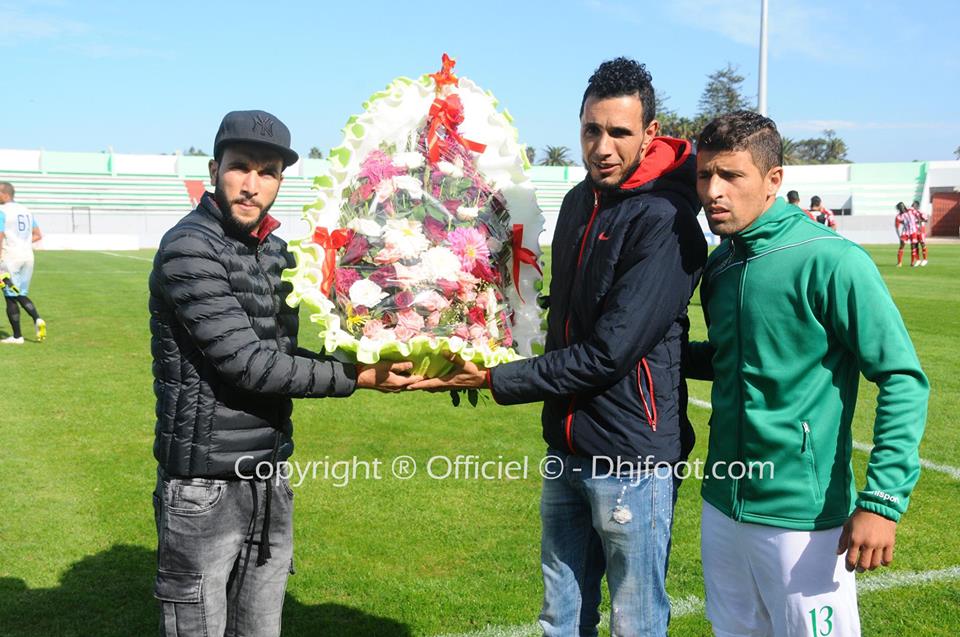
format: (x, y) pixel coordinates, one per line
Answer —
(618, 525)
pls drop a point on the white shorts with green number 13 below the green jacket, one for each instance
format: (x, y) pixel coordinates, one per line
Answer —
(764, 581)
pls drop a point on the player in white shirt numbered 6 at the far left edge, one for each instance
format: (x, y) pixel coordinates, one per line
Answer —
(18, 232)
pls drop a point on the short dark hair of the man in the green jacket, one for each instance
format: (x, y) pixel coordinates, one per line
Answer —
(744, 130)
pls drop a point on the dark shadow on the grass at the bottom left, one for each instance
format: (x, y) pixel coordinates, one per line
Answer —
(111, 595)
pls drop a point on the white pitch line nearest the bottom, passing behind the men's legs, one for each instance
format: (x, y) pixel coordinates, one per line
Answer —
(693, 605)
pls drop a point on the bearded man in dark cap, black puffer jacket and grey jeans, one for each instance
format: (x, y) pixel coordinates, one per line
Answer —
(226, 365)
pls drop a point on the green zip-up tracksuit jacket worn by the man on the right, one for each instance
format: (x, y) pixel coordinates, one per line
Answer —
(795, 314)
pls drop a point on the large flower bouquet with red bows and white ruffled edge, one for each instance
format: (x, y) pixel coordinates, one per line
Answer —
(423, 238)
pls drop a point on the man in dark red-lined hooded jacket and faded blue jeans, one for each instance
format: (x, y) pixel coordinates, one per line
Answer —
(627, 255)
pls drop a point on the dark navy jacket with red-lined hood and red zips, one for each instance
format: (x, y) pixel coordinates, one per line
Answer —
(624, 265)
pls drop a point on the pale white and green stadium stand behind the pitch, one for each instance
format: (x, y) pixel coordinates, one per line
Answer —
(131, 200)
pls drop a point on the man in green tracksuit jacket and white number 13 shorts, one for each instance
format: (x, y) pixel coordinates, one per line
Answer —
(795, 313)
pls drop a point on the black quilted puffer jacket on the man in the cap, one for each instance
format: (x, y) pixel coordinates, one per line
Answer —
(224, 342)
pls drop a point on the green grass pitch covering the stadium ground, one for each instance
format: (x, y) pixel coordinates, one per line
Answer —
(383, 557)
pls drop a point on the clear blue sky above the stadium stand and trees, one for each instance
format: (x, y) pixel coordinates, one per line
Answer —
(156, 77)
